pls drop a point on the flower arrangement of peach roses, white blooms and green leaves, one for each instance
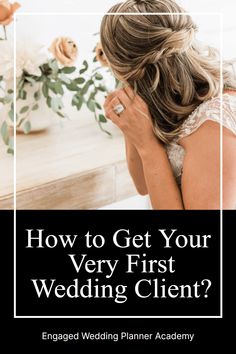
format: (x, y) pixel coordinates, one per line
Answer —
(50, 75)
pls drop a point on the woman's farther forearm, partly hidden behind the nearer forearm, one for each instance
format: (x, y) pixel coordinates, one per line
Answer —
(135, 167)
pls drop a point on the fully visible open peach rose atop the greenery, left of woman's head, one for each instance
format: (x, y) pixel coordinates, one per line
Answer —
(65, 50)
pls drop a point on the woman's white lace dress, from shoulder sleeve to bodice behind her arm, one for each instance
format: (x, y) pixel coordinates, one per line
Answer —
(208, 110)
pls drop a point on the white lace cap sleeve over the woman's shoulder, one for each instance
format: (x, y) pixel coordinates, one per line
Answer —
(211, 110)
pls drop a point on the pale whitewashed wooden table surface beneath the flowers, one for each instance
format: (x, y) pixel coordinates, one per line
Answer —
(69, 148)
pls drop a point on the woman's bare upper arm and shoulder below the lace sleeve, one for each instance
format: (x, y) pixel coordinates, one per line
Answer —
(201, 169)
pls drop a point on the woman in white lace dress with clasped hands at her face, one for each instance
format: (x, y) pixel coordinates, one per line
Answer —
(169, 108)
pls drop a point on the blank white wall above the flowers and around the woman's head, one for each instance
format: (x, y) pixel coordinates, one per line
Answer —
(81, 28)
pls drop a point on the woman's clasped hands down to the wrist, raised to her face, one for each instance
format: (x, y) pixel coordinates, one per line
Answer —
(135, 121)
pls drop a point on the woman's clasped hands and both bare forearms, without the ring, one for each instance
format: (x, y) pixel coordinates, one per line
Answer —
(135, 122)
